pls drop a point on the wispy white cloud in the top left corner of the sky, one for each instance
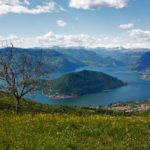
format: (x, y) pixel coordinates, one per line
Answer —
(23, 6)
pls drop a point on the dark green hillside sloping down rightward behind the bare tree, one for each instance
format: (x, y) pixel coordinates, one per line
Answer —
(7, 104)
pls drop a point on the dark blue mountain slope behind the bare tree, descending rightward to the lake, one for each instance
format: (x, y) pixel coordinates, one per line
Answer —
(52, 59)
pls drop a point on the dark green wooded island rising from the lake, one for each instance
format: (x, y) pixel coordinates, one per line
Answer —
(80, 83)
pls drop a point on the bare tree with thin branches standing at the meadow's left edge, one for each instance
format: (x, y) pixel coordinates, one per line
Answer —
(20, 72)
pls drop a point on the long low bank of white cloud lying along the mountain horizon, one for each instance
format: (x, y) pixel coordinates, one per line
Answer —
(138, 39)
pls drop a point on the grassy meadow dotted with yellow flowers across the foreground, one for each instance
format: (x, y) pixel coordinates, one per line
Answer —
(73, 132)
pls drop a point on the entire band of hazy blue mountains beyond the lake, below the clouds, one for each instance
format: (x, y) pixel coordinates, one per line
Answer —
(69, 59)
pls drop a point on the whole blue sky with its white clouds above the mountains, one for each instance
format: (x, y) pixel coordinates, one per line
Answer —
(75, 23)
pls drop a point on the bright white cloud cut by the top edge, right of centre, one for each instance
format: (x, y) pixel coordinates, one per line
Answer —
(96, 4)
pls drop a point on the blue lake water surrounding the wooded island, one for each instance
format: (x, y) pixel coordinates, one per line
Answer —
(136, 89)
